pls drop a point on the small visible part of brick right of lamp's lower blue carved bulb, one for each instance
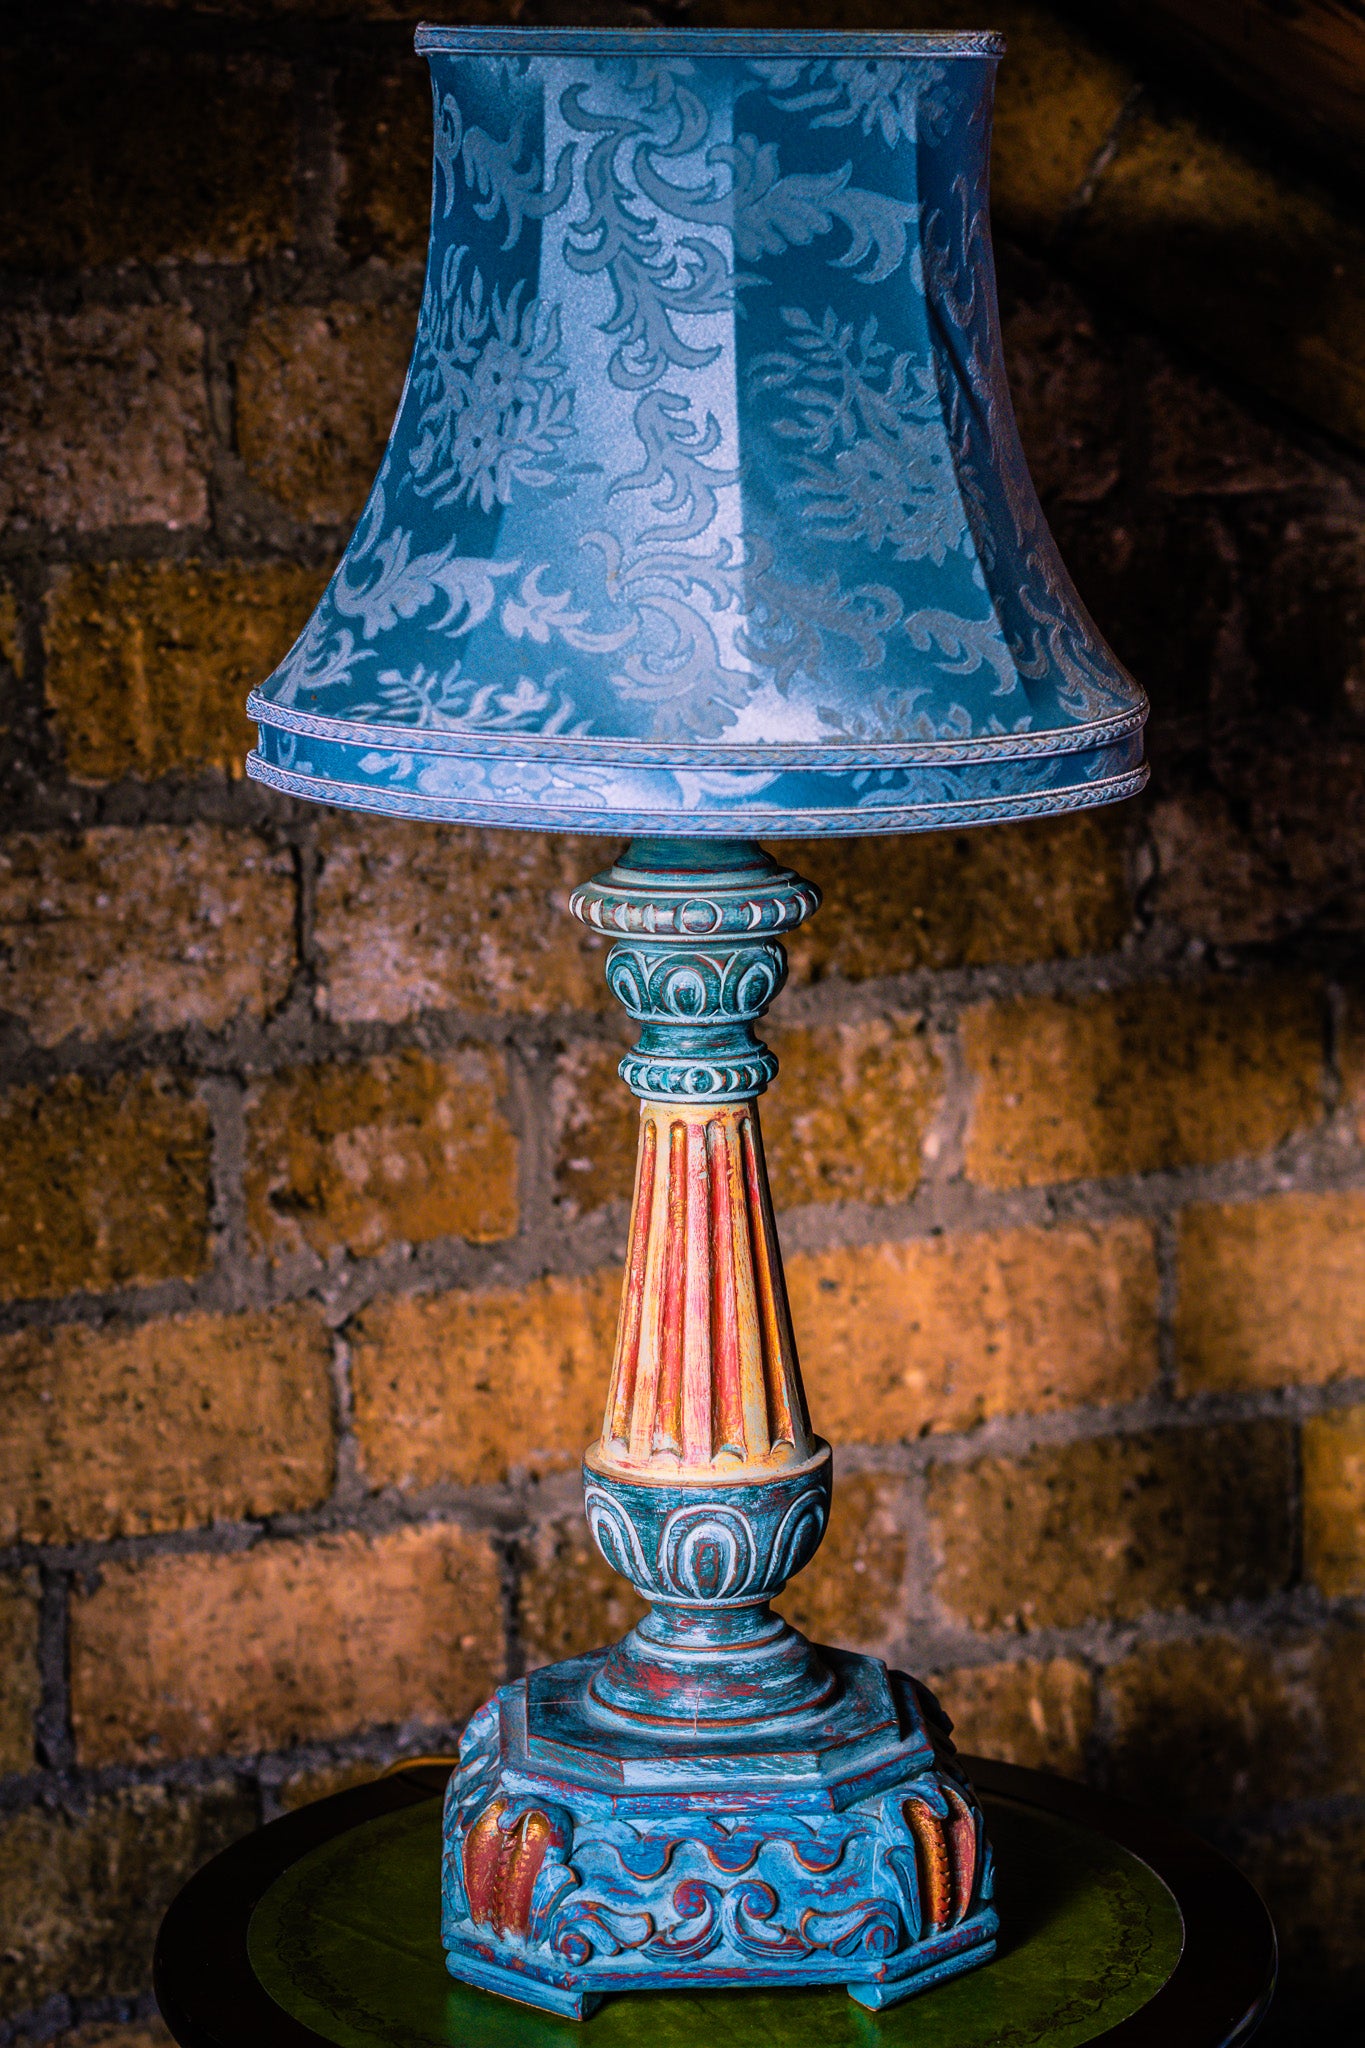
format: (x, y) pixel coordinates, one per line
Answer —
(854, 1586)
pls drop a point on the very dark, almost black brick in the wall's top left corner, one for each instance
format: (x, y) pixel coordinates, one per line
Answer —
(79, 175)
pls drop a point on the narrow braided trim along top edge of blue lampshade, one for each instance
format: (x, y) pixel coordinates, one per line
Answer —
(459, 40)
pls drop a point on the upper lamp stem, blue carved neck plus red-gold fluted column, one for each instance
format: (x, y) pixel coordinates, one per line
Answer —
(705, 1381)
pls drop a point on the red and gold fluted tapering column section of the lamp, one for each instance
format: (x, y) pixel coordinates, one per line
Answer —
(705, 1377)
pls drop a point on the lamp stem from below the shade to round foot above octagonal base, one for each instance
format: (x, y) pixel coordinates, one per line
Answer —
(707, 1488)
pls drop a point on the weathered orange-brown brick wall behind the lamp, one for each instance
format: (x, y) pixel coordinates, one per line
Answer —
(314, 1156)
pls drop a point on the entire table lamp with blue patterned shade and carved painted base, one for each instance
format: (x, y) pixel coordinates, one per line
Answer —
(705, 519)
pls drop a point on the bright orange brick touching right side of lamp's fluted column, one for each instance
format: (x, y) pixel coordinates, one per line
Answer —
(940, 1334)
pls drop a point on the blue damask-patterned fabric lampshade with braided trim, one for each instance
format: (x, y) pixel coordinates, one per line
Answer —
(705, 509)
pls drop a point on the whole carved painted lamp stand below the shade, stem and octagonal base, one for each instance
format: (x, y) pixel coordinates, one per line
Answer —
(713, 1801)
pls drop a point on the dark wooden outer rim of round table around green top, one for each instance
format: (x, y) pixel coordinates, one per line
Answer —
(1217, 1996)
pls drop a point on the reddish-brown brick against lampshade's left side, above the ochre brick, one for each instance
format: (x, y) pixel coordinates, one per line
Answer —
(316, 396)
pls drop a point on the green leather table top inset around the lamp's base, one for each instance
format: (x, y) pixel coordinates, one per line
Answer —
(347, 1943)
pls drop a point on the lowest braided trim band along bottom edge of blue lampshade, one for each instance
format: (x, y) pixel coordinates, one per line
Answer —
(730, 822)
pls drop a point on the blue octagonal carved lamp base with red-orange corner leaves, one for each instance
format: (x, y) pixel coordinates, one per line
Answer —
(582, 1861)
